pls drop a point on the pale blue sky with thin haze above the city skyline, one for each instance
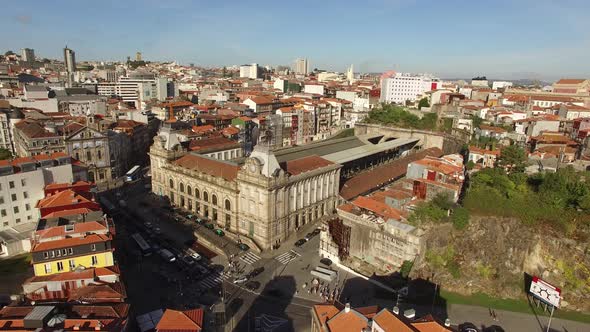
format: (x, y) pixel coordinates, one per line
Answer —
(544, 39)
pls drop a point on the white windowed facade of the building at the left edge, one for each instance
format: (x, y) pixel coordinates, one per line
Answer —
(28, 189)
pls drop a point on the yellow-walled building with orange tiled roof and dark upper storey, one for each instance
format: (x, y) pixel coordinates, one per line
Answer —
(64, 255)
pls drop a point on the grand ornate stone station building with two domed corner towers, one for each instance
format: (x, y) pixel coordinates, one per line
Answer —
(260, 199)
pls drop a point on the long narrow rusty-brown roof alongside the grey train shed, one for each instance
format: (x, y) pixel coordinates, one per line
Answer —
(381, 175)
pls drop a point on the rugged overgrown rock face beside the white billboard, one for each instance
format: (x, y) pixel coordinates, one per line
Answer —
(492, 255)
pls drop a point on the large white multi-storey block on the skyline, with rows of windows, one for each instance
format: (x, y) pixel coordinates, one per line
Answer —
(401, 87)
